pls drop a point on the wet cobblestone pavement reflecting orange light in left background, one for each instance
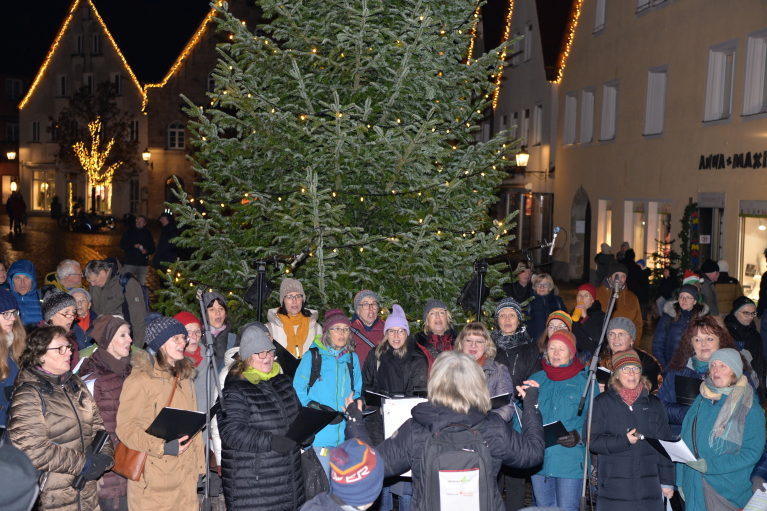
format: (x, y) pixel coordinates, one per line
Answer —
(46, 244)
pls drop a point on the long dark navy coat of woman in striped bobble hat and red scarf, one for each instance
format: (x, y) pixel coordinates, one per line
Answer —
(630, 476)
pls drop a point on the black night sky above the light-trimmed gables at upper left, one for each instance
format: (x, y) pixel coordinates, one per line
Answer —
(150, 33)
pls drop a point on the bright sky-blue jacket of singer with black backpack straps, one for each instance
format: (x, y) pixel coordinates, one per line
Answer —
(330, 389)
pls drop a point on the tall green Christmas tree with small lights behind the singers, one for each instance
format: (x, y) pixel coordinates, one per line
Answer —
(348, 127)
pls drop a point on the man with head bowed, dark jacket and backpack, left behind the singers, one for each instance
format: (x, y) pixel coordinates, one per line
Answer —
(117, 293)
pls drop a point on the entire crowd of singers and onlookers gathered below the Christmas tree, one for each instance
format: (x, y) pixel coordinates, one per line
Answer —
(77, 362)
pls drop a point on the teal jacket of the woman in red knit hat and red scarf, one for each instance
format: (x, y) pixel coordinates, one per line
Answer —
(558, 401)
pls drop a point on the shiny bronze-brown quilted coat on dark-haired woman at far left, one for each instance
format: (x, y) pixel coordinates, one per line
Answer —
(56, 433)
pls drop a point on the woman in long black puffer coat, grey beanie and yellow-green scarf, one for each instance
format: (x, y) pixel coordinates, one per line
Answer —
(261, 467)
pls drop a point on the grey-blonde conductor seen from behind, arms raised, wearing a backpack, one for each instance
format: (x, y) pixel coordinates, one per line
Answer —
(456, 424)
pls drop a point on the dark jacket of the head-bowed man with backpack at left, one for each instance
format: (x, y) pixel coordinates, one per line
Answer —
(110, 299)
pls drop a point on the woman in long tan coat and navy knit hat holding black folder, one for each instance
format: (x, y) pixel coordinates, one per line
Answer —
(169, 480)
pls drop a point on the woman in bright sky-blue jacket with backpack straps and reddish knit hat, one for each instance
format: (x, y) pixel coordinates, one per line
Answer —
(330, 375)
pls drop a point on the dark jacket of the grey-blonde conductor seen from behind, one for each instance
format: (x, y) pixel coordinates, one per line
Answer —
(403, 451)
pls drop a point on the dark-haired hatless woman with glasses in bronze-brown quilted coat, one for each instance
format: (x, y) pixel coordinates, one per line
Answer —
(54, 420)
